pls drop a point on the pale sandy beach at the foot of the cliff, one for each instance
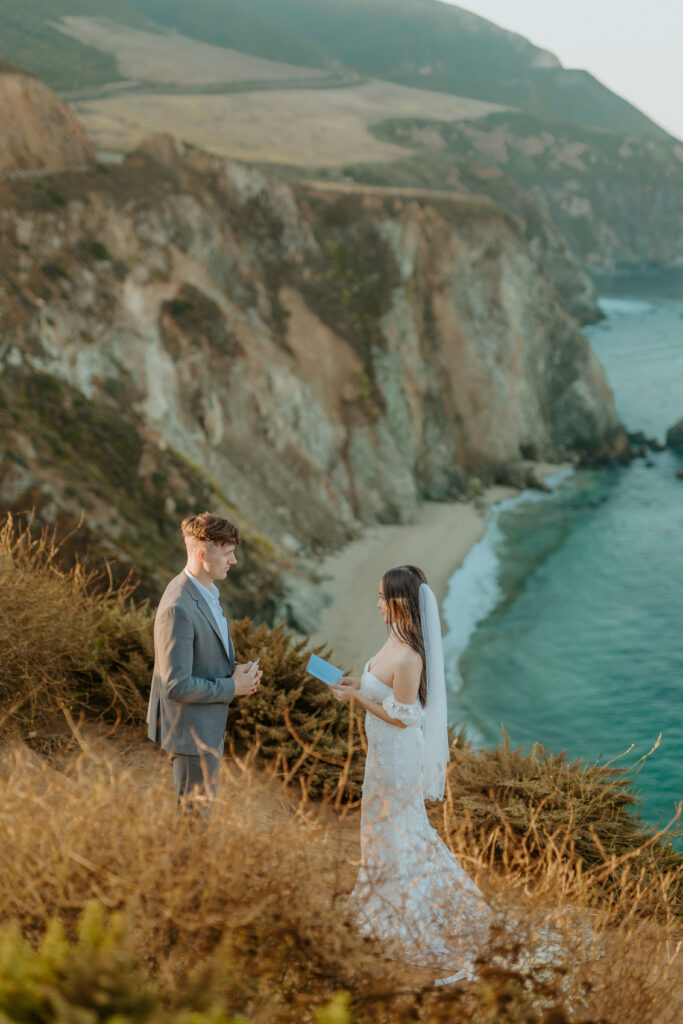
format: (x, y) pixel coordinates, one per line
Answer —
(438, 543)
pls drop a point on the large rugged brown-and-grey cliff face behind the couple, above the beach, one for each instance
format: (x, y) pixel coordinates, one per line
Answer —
(182, 331)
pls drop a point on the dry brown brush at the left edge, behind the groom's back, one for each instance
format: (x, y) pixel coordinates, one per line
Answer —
(68, 636)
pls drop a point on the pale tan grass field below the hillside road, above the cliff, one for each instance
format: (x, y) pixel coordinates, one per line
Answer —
(326, 127)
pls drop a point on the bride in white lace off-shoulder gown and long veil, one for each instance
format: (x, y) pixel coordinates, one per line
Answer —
(411, 890)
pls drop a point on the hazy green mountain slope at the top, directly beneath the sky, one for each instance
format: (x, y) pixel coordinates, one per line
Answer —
(422, 44)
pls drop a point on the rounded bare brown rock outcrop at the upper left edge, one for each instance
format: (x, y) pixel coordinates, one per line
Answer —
(39, 133)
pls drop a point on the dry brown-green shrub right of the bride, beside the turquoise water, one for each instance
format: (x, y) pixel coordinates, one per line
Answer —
(571, 828)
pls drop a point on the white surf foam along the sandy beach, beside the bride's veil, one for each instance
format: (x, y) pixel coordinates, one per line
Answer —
(475, 589)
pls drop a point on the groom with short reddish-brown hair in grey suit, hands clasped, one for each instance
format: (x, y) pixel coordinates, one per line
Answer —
(195, 675)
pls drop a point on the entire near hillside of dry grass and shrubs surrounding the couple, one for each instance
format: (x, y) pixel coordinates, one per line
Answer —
(245, 914)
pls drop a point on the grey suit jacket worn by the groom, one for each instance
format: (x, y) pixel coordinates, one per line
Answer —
(193, 682)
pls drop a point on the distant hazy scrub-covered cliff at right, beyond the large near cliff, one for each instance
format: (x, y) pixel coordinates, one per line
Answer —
(618, 200)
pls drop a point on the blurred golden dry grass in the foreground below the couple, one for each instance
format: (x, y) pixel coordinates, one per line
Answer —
(245, 914)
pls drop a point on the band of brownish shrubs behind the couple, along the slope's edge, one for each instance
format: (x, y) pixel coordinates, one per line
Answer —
(73, 642)
